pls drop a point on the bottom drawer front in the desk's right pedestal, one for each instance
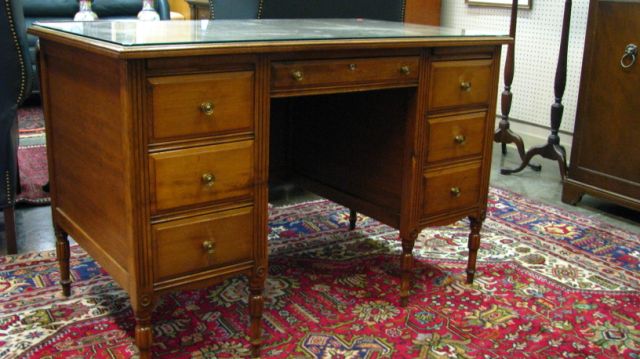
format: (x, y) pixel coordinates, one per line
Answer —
(452, 188)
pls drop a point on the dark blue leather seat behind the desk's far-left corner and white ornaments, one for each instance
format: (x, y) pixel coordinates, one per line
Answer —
(64, 10)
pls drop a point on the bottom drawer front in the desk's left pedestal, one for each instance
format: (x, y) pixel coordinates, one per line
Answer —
(204, 242)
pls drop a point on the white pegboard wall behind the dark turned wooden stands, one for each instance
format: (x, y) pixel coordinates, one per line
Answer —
(537, 46)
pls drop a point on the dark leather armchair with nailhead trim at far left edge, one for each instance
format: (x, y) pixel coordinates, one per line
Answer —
(15, 82)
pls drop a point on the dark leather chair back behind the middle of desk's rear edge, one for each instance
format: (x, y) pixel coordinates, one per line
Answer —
(392, 10)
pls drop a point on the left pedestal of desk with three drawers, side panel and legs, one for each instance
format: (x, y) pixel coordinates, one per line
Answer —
(158, 170)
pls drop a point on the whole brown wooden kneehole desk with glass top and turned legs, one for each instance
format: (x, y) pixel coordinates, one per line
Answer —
(159, 139)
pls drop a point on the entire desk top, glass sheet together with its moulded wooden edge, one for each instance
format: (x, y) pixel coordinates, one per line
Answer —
(130, 36)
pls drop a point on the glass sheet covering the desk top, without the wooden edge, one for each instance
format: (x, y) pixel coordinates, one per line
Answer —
(131, 33)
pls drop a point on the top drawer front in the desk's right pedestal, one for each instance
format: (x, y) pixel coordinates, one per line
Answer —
(460, 83)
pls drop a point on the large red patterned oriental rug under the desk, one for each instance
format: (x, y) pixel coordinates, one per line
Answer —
(551, 284)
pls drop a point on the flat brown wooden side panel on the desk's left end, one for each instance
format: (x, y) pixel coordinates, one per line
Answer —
(89, 164)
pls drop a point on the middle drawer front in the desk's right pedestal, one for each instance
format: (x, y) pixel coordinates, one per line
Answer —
(453, 137)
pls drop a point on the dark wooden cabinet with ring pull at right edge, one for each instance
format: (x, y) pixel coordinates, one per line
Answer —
(606, 142)
